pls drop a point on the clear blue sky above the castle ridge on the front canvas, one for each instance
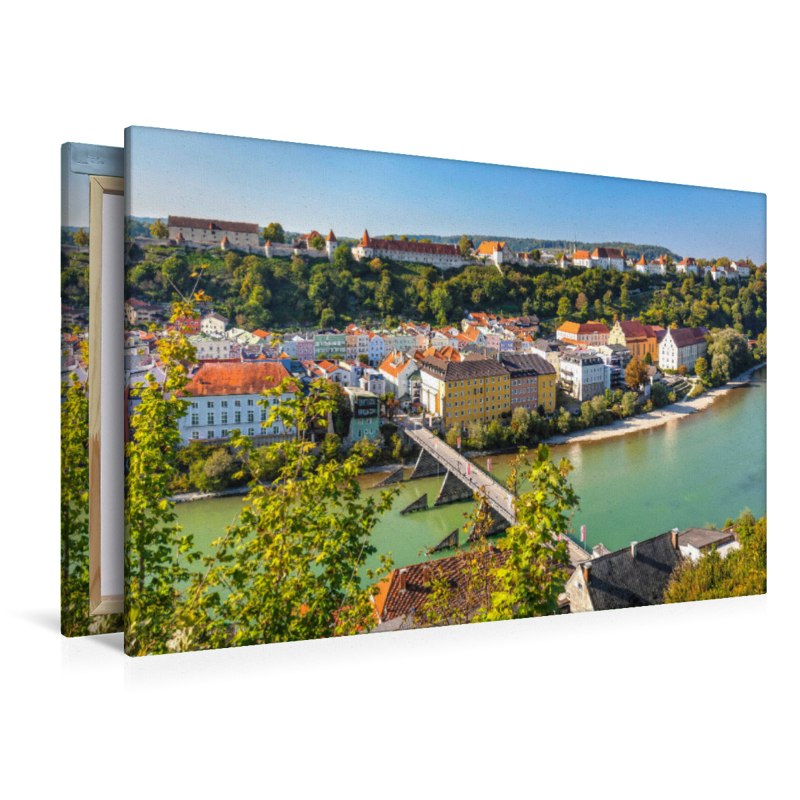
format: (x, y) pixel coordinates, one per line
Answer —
(308, 187)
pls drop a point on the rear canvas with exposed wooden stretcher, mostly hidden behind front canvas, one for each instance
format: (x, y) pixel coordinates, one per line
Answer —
(91, 233)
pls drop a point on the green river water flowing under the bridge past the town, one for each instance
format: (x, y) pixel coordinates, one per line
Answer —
(692, 471)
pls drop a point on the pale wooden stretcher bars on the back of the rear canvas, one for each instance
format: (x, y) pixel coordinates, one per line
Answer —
(99, 185)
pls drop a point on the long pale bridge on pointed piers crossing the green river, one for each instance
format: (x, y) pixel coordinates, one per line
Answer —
(463, 479)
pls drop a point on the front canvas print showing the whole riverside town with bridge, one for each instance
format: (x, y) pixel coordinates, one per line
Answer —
(369, 392)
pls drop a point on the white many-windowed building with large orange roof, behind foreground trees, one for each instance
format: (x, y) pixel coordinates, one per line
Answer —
(224, 396)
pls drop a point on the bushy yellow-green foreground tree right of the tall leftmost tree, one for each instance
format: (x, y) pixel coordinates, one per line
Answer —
(300, 575)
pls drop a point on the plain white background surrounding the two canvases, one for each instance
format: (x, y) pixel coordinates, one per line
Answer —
(694, 701)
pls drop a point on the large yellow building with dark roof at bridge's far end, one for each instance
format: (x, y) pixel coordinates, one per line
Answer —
(473, 390)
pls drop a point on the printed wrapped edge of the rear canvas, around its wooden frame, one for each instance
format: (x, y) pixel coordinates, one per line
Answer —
(79, 162)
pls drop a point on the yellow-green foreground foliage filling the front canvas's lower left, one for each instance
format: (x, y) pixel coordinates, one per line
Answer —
(291, 567)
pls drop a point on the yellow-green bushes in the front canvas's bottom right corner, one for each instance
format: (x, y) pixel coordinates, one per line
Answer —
(742, 572)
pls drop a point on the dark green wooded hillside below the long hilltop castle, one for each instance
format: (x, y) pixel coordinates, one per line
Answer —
(257, 292)
